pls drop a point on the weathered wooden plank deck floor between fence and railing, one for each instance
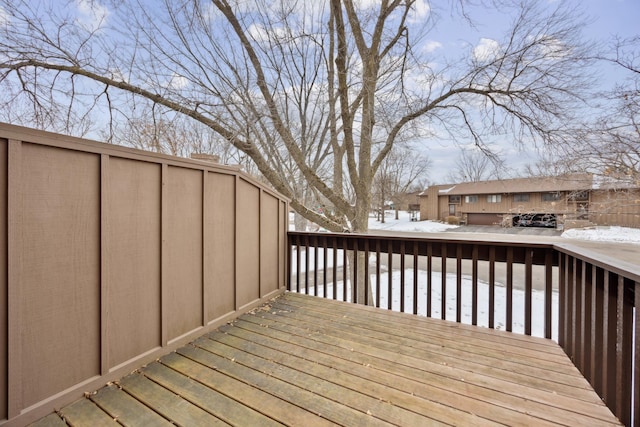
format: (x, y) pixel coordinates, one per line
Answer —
(308, 361)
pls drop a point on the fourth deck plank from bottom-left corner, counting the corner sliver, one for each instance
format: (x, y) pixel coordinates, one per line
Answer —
(167, 403)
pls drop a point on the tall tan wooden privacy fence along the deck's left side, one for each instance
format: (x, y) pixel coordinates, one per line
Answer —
(112, 256)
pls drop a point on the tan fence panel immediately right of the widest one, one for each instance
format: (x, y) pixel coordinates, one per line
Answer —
(132, 252)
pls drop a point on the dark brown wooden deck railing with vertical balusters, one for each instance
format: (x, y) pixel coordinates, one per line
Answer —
(586, 304)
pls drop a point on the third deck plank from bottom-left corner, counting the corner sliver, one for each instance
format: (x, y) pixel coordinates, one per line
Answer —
(126, 409)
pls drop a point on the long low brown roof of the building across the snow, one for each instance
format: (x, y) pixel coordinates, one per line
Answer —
(575, 182)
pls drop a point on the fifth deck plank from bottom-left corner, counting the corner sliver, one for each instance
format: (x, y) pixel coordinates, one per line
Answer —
(206, 398)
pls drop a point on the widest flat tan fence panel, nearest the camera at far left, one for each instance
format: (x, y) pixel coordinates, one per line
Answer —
(60, 270)
